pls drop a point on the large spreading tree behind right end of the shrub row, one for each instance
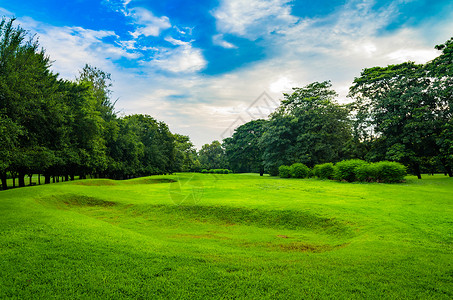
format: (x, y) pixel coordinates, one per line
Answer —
(394, 103)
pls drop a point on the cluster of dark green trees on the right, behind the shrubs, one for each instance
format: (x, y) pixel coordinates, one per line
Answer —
(400, 113)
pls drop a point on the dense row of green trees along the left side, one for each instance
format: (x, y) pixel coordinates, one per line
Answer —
(62, 128)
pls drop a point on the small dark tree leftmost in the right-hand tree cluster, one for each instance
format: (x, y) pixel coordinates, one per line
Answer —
(242, 150)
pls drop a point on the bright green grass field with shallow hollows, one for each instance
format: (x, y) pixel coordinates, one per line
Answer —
(228, 236)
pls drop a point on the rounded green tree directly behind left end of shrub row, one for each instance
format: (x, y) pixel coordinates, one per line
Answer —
(309, 127)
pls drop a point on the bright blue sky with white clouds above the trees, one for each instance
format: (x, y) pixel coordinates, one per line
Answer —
(206, 66)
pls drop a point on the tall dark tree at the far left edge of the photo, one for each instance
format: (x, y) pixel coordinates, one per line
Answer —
(27, 93)
